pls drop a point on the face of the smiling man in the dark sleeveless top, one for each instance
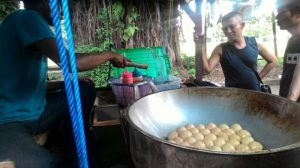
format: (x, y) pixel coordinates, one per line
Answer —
(232, 28)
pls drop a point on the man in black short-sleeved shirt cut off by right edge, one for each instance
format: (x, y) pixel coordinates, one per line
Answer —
(288, 18)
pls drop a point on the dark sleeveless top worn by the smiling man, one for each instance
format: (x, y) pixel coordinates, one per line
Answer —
(238, 65)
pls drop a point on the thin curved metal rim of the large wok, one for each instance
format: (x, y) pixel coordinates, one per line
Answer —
(263, 152)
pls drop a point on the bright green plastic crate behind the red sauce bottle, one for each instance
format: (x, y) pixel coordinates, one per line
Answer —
(156, 58)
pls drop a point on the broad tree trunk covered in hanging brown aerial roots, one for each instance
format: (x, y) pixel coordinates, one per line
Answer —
(152, 22)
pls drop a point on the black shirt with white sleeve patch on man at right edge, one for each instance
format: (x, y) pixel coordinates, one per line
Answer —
(291, 57)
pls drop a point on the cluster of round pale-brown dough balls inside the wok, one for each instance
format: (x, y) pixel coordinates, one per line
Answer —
(217, 138)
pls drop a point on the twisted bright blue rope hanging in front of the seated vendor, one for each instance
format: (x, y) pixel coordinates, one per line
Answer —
(70, 80)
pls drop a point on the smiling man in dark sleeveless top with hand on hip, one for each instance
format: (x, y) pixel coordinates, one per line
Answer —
(238, 56)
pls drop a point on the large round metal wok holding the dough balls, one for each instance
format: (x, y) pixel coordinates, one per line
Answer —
(273, 121)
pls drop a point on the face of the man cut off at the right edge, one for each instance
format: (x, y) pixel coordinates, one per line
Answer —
(286, 20)
